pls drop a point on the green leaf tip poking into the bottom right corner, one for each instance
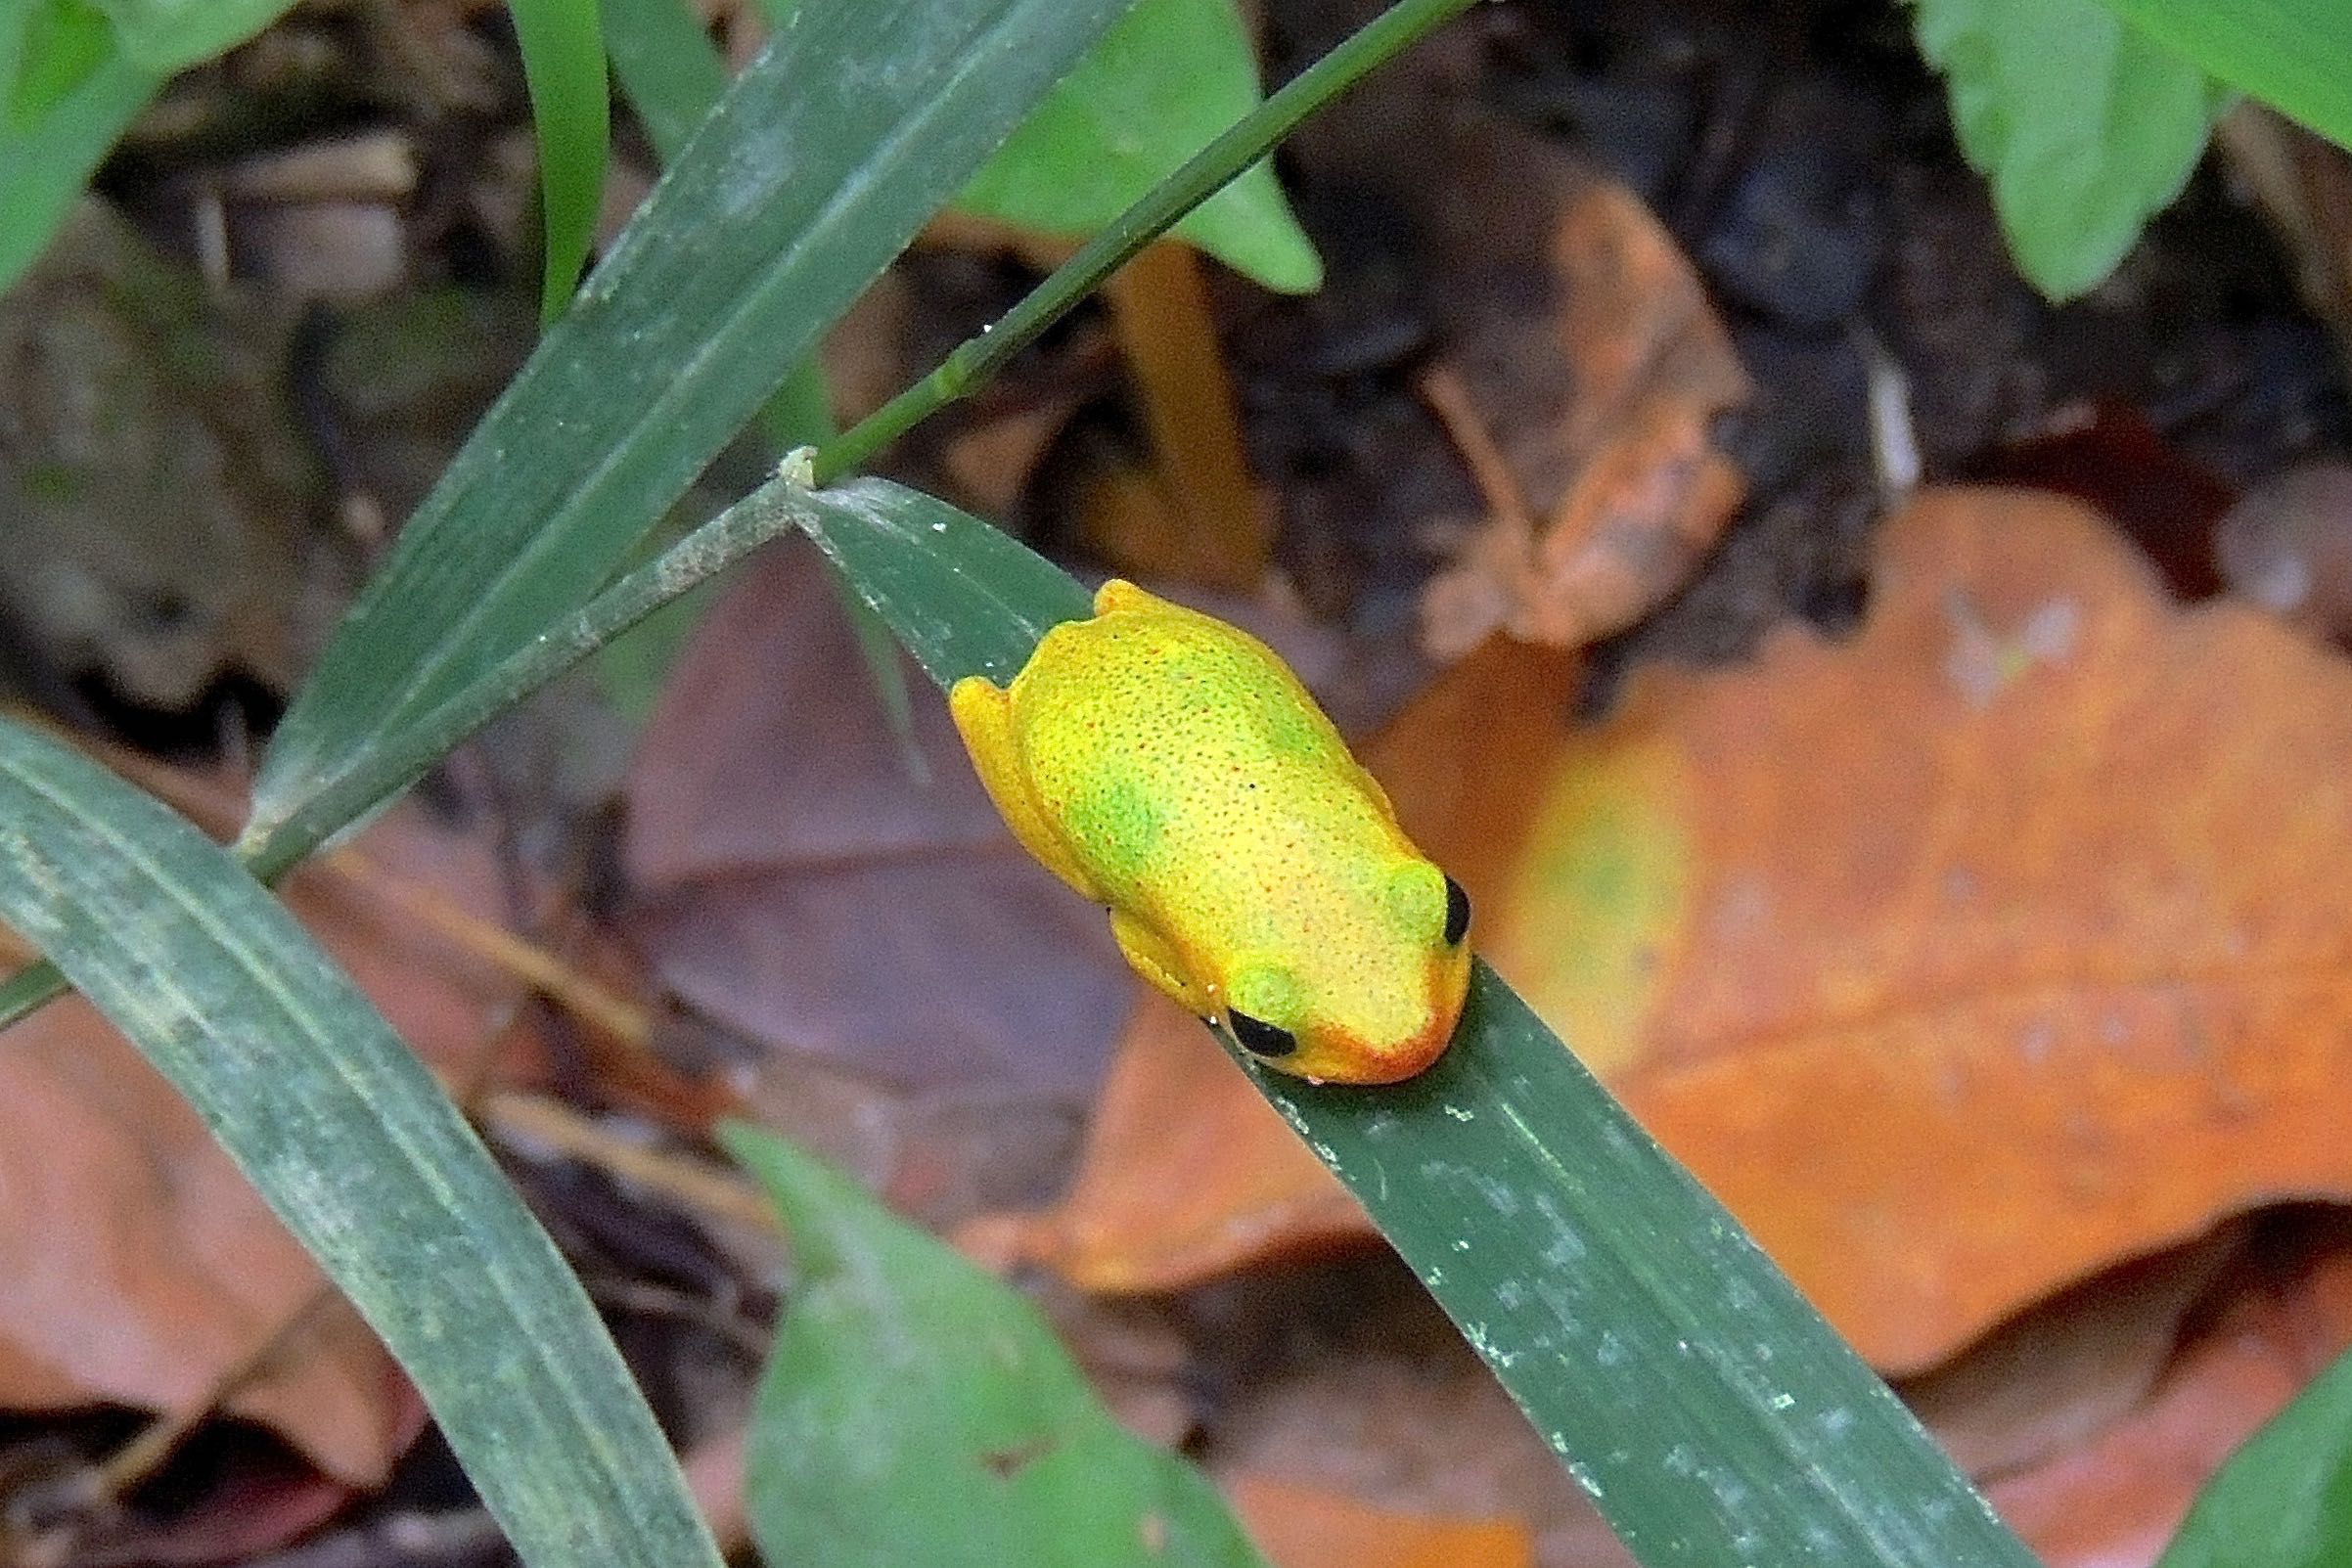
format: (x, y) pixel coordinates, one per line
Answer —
(2285, 1499)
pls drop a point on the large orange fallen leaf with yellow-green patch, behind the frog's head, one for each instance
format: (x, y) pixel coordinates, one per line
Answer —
(1960, 960)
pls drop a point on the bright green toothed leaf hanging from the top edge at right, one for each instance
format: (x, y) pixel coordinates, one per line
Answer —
(2083, 126)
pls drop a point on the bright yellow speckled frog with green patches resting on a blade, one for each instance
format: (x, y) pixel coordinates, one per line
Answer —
(1175, 772)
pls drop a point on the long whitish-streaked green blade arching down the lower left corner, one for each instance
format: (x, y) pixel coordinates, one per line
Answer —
(354, 1146)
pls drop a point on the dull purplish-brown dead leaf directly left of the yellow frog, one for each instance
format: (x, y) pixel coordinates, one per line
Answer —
(808, 890)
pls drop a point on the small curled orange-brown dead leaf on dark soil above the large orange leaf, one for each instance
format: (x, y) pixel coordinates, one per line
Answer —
(1586, 415)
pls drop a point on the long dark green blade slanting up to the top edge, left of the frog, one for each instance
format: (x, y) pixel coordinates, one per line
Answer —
(822, 161)
